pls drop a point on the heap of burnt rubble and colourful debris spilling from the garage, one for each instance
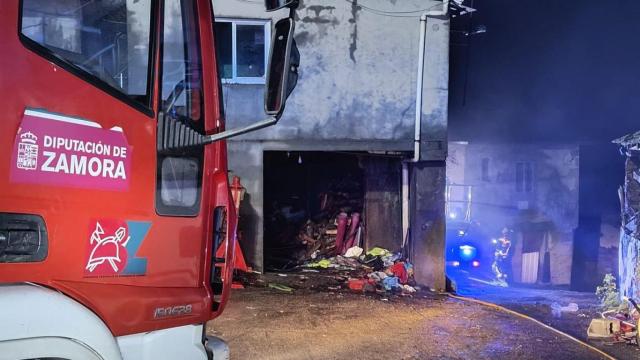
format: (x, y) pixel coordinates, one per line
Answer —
(329, 246)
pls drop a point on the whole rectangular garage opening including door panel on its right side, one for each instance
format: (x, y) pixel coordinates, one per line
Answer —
(308, 194)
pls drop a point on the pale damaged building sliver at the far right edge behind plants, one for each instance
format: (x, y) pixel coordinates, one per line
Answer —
(629, 192)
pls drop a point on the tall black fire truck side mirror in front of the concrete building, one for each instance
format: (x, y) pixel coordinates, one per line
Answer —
(282, 74)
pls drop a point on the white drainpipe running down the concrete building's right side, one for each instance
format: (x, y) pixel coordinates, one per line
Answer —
(418, 117)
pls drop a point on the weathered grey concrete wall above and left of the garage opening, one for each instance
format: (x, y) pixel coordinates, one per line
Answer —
(356, 90)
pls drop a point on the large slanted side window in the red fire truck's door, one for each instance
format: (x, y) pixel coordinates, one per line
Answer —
(108, 40)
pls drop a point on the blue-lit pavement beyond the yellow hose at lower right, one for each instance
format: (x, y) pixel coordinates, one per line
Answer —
(537, 304)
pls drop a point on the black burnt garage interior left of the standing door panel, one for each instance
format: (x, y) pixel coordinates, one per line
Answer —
(303, 189)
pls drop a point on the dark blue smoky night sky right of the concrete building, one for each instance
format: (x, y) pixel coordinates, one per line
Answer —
(546, 71)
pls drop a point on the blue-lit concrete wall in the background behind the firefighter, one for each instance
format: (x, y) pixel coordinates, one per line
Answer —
(550, 207)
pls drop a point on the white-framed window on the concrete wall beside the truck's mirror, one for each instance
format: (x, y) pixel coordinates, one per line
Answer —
(242, 50)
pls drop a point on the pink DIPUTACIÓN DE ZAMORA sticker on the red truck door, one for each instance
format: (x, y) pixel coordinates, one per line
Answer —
(59, 150)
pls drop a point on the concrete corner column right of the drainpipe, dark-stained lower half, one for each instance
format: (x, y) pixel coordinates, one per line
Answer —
(428, 176)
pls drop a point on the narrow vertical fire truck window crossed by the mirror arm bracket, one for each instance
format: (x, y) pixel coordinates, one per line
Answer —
(180, 171)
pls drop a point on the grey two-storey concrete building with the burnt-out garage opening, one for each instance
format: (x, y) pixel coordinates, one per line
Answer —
(345, 144)
